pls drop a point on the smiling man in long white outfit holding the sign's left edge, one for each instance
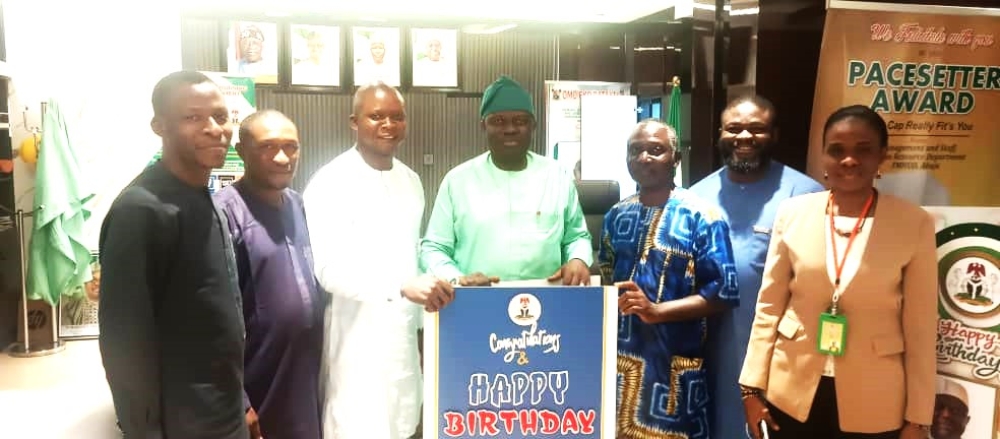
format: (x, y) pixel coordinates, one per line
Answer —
(367, 207)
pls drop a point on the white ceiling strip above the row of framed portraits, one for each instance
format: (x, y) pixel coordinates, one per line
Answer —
(468, 11)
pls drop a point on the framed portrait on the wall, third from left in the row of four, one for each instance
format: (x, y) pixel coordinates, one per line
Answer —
(376, 55)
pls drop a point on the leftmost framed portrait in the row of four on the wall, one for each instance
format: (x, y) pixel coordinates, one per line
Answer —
(253, 51)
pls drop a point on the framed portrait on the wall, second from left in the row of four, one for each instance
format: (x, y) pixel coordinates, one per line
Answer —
(315, 55)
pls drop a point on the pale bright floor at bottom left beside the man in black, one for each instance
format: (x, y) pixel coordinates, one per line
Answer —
(60, 396)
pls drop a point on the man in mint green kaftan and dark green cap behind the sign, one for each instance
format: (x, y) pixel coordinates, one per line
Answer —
(507, 214)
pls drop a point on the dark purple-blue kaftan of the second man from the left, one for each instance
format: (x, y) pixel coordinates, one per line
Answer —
(283, 311)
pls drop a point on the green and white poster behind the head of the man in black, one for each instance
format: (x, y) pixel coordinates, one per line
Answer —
(241, 98)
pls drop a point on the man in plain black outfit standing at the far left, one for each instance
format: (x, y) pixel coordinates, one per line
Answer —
(171, 325)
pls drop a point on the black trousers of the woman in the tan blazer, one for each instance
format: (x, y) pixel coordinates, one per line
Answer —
(823, 421)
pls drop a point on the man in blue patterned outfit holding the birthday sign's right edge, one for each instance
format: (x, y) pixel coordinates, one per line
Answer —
(669, 254)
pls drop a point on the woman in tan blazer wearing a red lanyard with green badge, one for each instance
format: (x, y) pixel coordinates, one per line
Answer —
(843, 341)
